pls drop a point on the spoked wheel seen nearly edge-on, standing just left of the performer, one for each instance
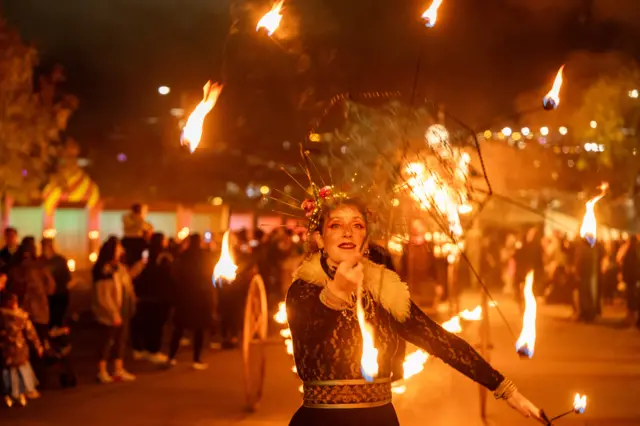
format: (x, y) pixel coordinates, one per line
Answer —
(254, 334)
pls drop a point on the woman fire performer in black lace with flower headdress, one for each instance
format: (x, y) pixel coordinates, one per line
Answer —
(326, 337)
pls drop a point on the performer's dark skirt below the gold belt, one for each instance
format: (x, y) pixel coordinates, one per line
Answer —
(376, 416)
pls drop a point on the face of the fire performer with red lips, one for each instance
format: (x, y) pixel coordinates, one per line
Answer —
(343, 235)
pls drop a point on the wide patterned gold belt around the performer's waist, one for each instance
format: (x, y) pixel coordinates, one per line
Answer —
(347, 393)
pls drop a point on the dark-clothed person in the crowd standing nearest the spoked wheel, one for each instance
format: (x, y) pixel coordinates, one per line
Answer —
(193, 297)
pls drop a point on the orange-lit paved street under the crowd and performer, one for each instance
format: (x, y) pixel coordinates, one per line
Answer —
(600, 360)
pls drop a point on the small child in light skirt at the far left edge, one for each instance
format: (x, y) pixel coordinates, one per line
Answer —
(18, 380)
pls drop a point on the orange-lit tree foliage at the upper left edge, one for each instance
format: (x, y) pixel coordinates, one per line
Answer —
(32, 118)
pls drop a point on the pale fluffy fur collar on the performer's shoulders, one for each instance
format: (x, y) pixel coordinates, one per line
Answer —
(385, 286)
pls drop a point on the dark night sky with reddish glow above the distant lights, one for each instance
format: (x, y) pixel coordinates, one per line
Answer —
(477, 60)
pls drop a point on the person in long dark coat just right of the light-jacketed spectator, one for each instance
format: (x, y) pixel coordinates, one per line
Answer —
(153, 293)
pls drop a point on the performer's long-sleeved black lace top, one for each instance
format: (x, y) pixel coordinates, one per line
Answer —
(327, 343)
